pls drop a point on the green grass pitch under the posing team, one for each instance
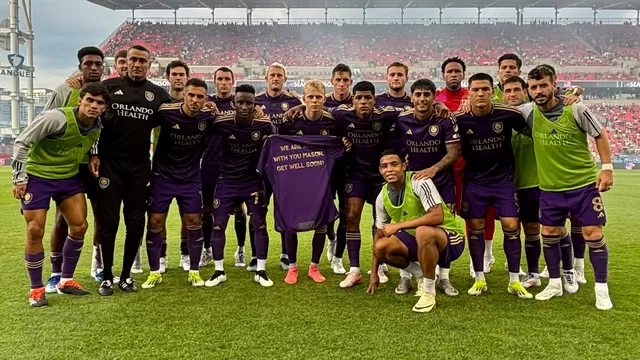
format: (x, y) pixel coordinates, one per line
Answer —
(241, 320)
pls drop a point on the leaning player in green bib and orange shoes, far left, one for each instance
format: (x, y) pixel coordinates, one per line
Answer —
(47, 156)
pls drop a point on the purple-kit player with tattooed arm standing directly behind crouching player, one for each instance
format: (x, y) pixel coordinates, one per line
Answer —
(432, 145)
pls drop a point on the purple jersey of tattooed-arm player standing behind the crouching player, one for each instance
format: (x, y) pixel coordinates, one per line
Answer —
(425, 142)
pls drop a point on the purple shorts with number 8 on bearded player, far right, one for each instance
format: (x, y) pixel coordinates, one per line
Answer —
(584, 204)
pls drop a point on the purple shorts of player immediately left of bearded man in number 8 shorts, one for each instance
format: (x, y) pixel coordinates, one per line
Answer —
(476, 200)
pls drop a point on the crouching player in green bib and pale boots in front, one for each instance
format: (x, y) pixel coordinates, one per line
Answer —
(413, 225)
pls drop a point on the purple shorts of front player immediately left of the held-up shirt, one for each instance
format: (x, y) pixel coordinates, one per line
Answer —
(228, 195)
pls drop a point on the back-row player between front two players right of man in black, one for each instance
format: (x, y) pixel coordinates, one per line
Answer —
(211, 162)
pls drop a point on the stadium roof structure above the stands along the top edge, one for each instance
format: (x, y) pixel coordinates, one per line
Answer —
(363, 4)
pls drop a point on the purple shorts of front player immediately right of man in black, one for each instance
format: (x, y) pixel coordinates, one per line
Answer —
(163, 192)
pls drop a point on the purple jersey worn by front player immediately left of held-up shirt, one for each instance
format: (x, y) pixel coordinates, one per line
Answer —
(241, 146)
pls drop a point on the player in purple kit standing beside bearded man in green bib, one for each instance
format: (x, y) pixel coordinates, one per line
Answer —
(486, 133)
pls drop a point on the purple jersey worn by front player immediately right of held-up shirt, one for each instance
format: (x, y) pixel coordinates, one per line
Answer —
(369, 137)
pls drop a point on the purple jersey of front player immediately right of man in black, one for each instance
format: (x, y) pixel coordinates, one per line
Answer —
(181, 143)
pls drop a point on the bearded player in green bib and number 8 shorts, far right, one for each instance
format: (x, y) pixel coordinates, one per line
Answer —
(569, 179)
